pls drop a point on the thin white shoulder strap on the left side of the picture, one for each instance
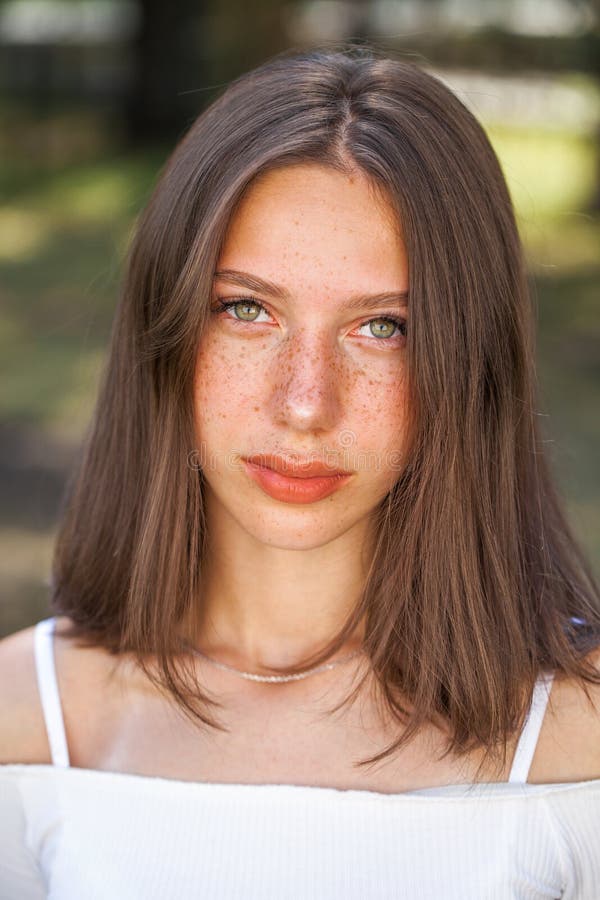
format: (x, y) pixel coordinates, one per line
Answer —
(49, 694)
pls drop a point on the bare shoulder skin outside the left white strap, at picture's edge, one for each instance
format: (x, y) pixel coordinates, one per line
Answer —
(23, 736)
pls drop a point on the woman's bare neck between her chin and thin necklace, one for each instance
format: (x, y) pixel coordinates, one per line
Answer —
(265, 606)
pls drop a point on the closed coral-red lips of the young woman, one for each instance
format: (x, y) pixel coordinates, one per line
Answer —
(297, 488)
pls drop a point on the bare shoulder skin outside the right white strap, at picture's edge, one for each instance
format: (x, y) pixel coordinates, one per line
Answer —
(569, 743)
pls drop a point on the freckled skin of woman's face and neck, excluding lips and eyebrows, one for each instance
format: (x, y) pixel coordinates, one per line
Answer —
(307, 378)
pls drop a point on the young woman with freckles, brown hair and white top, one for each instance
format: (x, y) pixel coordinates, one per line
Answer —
(313, 585)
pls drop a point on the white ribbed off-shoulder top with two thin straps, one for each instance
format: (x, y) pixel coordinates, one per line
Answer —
(69, 833)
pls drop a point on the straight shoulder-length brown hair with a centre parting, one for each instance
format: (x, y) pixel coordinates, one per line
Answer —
(476, 581)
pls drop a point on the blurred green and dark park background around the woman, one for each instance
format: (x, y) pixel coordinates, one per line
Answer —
(94, 94)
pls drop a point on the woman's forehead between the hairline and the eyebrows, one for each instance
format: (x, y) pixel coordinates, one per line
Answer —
(311, 223)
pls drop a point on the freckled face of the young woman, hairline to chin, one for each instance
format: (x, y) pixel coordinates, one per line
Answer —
(301, 363)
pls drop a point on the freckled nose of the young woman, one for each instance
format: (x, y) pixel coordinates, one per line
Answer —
(307, 384)
